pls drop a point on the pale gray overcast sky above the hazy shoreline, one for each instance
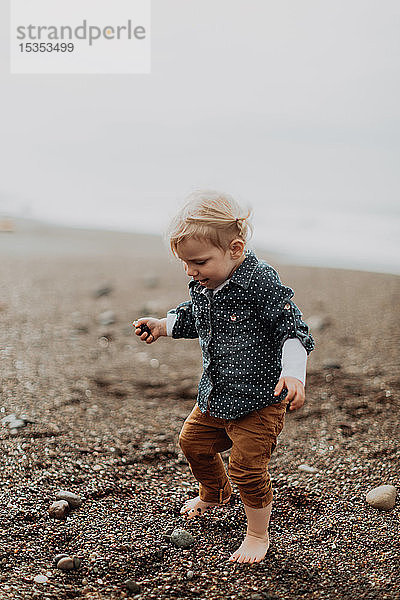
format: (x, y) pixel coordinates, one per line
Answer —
(291, 106)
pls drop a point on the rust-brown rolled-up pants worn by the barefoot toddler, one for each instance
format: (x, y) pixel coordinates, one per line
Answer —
(252, 439)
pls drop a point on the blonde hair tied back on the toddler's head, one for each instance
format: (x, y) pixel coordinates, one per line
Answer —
(212, 216)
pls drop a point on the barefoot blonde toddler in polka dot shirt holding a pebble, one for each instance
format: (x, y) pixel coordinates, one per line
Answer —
(254, 346)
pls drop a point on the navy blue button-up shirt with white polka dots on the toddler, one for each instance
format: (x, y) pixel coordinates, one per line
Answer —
(241, 330)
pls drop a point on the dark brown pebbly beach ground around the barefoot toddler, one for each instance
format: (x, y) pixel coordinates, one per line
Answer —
(101, 414)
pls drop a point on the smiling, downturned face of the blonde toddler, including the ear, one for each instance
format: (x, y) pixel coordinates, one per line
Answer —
(208, 264)
